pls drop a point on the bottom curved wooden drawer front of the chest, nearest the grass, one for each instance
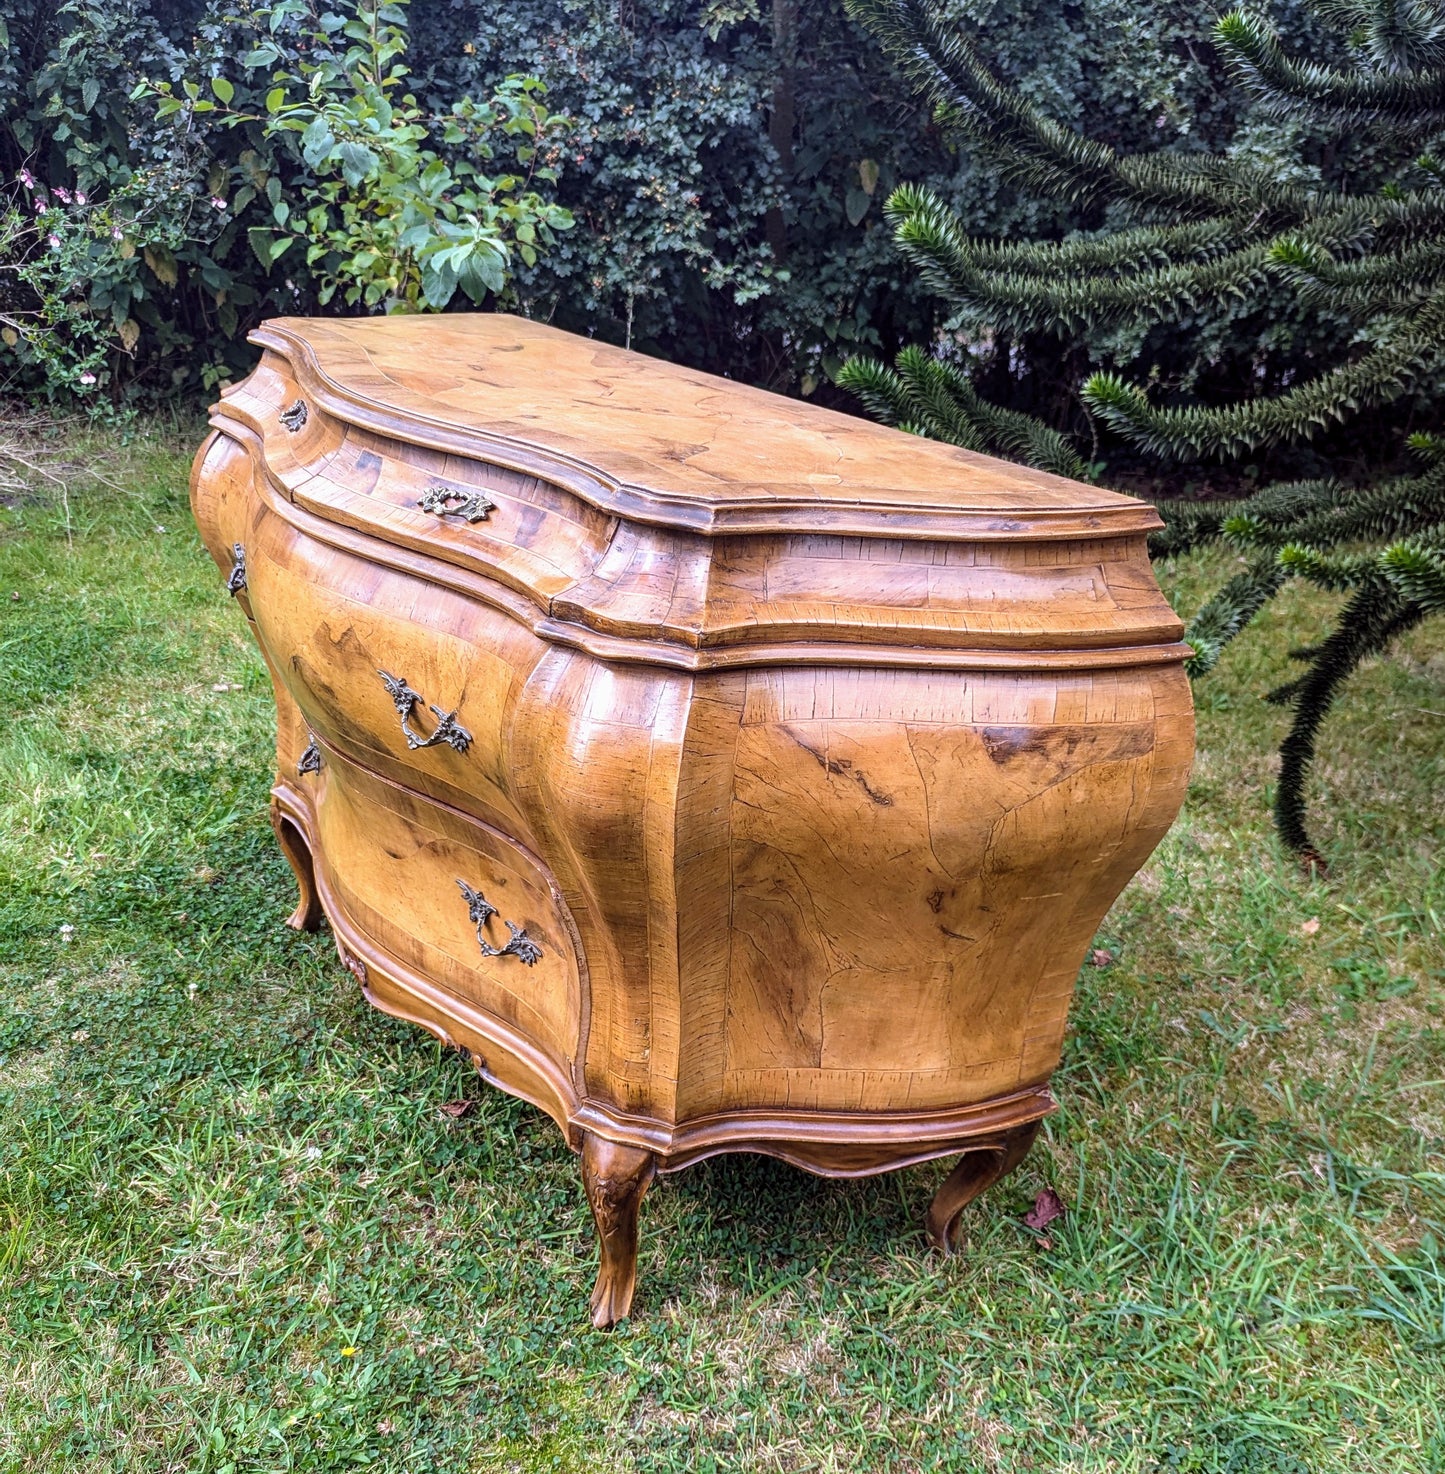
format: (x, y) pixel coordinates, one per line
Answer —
(394, 862)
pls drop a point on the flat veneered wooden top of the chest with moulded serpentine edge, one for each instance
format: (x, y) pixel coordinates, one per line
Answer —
(655, 443)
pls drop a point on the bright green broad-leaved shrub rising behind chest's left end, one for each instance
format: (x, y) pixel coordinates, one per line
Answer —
(384, 219)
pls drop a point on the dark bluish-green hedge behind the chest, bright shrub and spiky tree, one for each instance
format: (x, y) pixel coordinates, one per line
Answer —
(710, 231)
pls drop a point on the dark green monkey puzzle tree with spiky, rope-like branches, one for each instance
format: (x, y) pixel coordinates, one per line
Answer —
(1192, 237)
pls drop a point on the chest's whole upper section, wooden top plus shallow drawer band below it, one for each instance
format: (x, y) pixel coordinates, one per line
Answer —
(650, 514)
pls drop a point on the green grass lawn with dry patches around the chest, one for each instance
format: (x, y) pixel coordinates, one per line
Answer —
(238, 1234)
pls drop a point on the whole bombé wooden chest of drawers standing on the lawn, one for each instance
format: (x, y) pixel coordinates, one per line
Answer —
(722, 773)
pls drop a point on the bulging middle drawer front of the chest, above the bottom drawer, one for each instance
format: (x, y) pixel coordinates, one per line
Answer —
(414, 680)
